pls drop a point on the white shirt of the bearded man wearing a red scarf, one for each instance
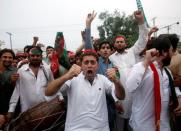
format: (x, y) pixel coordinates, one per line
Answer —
(141, 84)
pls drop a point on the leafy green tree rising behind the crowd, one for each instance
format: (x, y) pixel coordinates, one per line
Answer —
(118, 24)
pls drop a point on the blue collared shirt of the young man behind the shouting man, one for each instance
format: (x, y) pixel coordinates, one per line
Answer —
(104, 66)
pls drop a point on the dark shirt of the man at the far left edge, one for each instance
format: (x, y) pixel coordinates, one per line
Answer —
(6, 89)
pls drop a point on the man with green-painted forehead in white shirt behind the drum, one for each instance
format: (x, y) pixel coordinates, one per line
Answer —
(33, 79)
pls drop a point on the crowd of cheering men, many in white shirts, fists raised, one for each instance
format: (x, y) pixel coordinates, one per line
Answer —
(108, 86)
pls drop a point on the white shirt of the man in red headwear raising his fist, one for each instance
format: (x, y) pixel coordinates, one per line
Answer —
(125, 61)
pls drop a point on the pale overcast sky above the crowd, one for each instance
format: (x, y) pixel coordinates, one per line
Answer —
(43, 18)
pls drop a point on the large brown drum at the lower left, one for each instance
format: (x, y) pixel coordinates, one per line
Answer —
(47, 116)
